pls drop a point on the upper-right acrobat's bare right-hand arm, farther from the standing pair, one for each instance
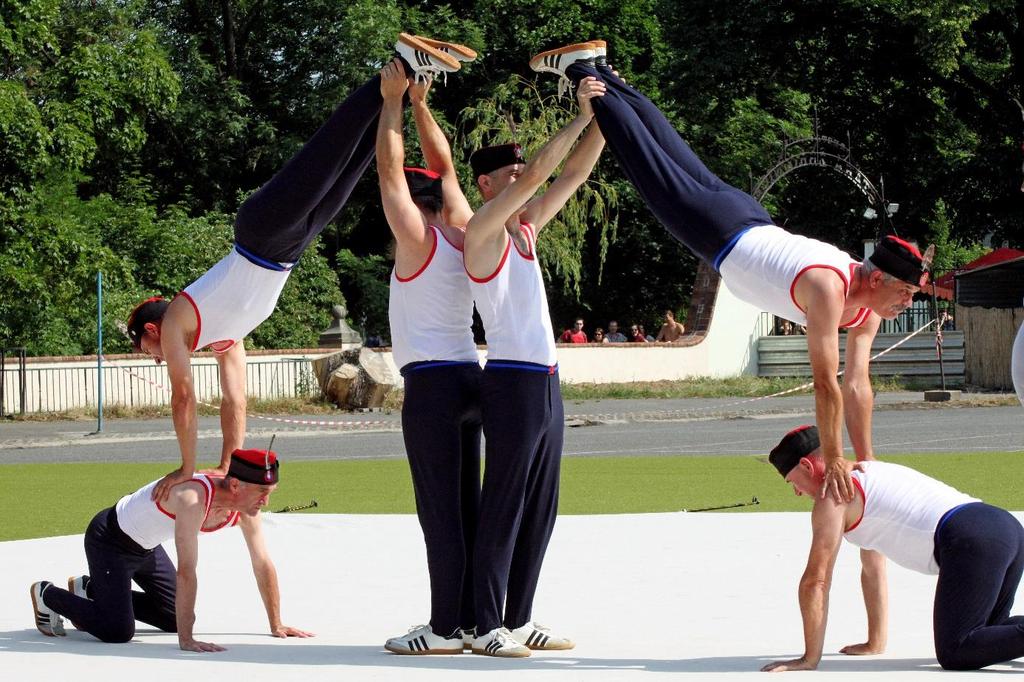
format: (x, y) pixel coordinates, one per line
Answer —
(859, 400)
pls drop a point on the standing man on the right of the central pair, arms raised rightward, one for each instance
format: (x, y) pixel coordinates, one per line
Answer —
(521, 399)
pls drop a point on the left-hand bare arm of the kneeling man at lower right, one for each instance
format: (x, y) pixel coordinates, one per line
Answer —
(827, 526)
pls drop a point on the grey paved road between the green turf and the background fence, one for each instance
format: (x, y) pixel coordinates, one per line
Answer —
(903, 423)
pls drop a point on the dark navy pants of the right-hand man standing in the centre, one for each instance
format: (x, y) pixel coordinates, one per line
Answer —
(524, 424)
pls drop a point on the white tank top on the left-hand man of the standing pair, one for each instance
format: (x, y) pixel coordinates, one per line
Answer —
(432, 312)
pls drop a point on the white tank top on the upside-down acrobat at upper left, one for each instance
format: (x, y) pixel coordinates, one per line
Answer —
(232, 300)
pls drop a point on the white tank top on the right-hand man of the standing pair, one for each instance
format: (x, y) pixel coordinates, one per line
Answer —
(514, 306)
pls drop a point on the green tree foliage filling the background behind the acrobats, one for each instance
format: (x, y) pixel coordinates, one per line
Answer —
(131, 130)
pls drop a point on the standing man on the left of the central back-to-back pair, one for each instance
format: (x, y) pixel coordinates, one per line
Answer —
(431, 312)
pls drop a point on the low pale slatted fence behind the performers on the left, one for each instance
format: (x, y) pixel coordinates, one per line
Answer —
(60, 389)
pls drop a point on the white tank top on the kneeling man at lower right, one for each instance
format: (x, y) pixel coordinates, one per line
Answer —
(903, 507)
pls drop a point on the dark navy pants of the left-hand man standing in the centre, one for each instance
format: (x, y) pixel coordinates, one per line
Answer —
(441, 423)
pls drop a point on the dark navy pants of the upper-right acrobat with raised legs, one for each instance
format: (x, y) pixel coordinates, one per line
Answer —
(702, 211)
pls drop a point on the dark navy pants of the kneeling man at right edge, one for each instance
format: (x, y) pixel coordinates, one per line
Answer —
(980, 550)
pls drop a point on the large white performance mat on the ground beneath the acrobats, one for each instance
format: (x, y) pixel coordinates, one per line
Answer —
(649, 596)
